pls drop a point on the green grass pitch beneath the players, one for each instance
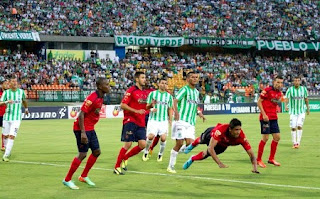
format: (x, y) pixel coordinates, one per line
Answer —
(53, 142)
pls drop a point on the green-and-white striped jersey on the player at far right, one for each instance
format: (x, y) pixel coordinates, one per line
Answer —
(296, 98)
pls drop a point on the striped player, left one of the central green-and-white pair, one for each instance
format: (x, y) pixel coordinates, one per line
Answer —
(160, 104)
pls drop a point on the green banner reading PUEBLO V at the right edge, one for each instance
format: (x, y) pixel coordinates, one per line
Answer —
(287, 45)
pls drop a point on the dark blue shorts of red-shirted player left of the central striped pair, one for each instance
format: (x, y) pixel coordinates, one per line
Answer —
(132, 133)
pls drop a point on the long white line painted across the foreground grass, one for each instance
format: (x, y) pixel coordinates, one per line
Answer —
(179, 176)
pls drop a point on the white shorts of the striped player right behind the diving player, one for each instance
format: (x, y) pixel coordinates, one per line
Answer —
(182, 130)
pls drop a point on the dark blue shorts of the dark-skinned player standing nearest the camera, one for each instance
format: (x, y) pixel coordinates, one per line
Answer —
(93, 142)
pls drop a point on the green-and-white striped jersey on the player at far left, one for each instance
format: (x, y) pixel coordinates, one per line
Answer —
(13, 111)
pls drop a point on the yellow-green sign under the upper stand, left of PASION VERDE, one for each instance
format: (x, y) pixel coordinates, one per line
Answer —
(65, 54)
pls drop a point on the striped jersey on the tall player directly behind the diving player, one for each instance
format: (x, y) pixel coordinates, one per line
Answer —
(188, 100)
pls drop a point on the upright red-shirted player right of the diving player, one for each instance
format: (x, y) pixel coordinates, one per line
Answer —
(267, 103)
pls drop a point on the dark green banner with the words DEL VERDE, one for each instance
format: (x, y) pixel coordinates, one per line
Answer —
(220, 42)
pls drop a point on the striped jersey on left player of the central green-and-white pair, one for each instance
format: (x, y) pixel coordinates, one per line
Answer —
(164, 101)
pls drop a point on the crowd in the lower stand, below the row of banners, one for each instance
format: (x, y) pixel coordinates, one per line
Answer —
(216, 70)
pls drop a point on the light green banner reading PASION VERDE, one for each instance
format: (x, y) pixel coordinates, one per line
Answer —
(148, 41)
